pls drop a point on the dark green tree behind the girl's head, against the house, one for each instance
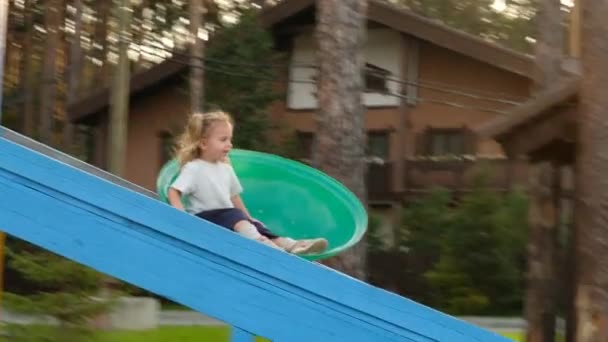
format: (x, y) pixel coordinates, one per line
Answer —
(239, 79)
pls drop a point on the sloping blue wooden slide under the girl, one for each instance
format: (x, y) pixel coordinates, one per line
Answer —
(96, 219)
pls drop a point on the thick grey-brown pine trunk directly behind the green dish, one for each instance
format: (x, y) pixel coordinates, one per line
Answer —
(339, 146)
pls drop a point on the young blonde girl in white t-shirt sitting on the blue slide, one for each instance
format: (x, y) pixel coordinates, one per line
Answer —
(213, 187)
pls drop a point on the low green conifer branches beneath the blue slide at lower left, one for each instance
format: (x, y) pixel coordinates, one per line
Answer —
(65, 291)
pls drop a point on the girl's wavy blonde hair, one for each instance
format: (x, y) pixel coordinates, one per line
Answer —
(197, 128)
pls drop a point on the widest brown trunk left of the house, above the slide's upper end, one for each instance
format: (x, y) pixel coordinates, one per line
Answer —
(49, 82)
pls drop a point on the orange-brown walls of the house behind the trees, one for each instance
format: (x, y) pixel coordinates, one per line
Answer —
(165, 108)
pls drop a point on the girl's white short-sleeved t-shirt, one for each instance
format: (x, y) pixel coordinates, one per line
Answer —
(208, 185)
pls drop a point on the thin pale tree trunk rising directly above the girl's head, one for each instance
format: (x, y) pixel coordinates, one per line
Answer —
(196, 56)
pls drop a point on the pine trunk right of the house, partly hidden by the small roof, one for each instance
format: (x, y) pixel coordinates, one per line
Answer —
(542, 286)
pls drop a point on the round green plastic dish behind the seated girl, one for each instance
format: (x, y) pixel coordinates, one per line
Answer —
(292, 199)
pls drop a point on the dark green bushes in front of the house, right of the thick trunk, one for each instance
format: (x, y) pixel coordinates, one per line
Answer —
(472, 255)
